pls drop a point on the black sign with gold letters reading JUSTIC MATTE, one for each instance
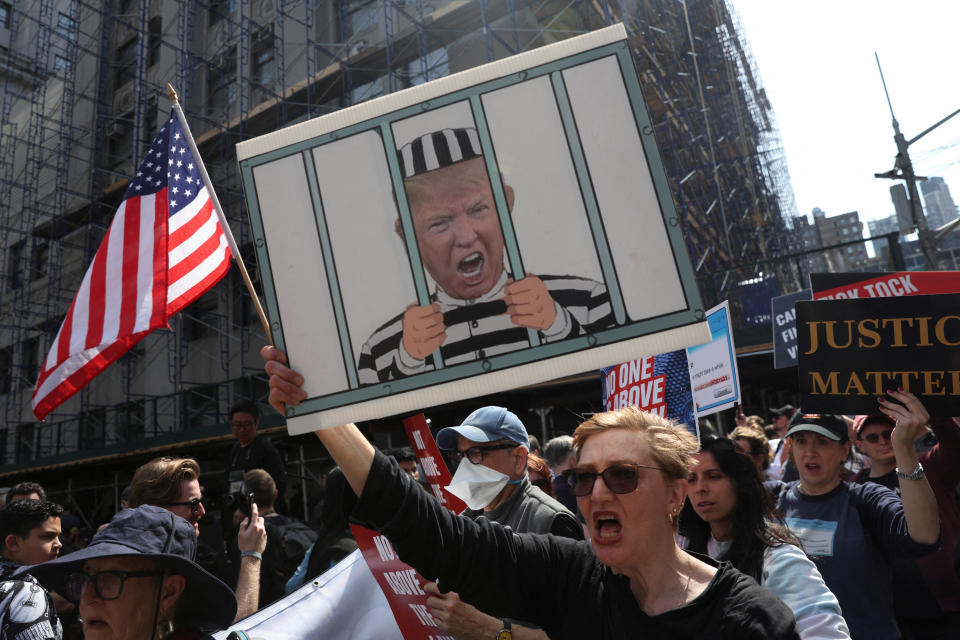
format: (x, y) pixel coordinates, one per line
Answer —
(851, 351)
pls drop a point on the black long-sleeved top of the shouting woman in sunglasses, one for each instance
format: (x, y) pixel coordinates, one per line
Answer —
(554, 582)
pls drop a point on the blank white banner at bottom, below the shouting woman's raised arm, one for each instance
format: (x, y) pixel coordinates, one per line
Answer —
(343, 602)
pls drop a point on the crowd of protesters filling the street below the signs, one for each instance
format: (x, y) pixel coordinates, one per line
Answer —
(628, 528)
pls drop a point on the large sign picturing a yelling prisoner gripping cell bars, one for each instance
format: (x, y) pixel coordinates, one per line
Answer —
(499, 227)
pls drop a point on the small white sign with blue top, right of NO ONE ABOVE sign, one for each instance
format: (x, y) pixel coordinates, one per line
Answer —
(713, 366)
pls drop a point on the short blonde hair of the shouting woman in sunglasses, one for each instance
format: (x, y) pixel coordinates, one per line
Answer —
(671, 444)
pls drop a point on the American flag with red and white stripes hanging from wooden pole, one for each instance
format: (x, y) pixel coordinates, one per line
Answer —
(164, 249)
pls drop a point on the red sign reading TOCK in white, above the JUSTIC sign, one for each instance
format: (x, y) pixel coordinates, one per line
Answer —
(844, 286)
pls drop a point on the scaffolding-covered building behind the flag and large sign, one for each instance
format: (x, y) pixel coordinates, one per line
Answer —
(83, 96)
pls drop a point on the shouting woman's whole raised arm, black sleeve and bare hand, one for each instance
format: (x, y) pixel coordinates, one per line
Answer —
(440, 544)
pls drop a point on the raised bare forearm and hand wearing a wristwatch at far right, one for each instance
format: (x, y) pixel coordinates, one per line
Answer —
(919, 502)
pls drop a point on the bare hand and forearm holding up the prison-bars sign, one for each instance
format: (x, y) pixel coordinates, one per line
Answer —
(349, 449)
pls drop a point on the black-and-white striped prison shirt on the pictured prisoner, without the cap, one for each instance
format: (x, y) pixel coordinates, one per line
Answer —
(480, 328)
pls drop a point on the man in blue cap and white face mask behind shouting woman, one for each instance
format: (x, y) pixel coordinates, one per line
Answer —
(492, 479)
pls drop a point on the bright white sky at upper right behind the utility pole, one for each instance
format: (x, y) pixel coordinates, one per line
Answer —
(816, 61)
